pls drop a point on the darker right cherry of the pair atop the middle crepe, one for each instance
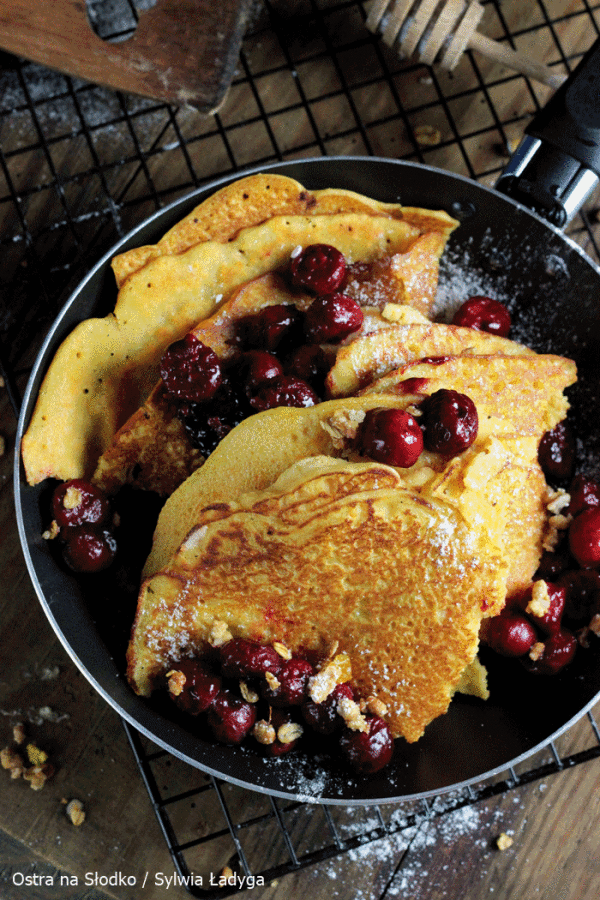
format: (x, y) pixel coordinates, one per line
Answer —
(451, 422)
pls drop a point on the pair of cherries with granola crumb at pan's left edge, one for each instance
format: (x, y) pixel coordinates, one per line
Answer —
(83, 516)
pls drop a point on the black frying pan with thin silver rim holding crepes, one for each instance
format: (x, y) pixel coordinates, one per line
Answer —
(553, 291)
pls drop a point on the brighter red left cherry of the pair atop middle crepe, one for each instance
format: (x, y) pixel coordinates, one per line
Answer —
(391, 436)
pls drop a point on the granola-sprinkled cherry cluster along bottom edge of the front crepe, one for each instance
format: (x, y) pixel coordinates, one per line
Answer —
(248, 689)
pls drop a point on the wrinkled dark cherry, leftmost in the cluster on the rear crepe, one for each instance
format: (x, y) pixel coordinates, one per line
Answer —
(191, 370)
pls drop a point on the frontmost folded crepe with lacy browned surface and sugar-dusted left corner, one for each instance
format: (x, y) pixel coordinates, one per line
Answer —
(334, 552)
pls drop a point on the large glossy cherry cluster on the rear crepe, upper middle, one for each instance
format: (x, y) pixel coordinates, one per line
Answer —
(278, 357)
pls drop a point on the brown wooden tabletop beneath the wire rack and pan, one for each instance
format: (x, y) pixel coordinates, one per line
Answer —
(553, 821)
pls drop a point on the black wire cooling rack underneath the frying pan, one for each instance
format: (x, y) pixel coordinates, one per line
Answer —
(80, 165)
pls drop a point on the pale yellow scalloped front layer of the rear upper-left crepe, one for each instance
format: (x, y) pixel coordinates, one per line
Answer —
(105, 368)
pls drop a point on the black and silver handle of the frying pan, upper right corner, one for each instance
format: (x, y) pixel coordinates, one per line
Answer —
(557, 164)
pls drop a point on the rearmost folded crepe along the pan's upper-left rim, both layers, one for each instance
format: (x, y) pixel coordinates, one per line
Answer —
(106, 368)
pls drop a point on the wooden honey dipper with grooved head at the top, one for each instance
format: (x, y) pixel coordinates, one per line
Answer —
(439, 31)
